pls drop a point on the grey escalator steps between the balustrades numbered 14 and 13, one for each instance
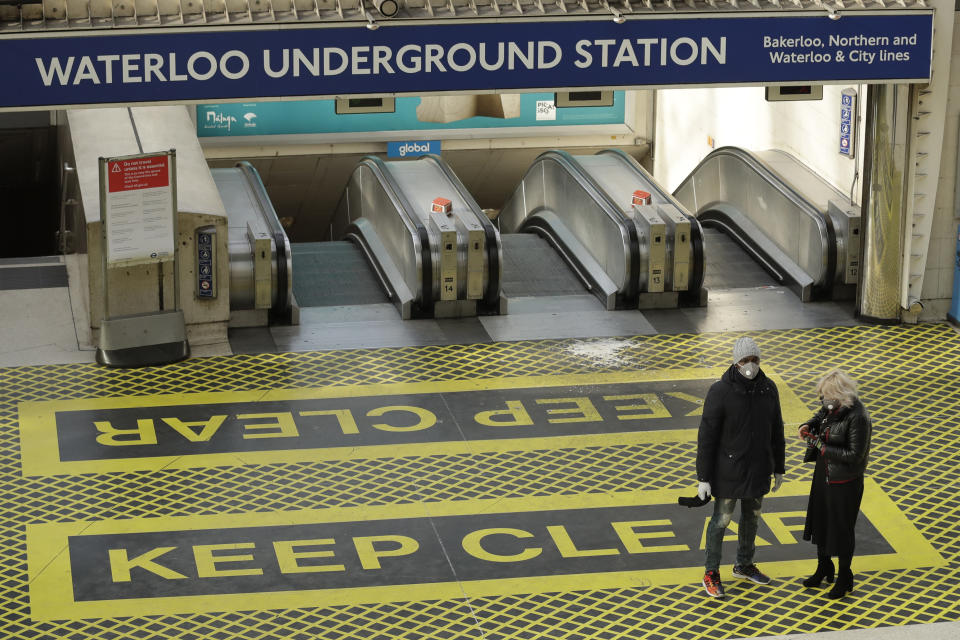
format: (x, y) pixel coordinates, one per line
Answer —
(531, 267)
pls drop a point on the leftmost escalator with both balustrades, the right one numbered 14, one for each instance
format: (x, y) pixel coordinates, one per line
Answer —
(391, 244)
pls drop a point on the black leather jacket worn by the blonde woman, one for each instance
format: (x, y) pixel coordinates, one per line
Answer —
(846, 441)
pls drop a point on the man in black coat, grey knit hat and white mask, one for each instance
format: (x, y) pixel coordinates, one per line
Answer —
(740, 445)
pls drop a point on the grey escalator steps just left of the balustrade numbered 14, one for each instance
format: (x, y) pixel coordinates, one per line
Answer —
(327, 274)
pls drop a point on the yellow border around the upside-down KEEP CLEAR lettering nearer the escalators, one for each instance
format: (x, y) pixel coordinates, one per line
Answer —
(40, 447)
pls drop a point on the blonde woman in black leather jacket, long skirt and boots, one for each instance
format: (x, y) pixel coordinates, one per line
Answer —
(838, 438)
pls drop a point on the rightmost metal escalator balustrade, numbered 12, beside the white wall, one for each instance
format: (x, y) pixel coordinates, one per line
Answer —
(801, 230)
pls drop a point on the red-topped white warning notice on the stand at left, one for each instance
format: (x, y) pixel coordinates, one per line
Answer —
(138, 211)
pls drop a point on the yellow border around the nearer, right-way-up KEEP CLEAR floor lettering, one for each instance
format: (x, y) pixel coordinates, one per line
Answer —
(51, 577)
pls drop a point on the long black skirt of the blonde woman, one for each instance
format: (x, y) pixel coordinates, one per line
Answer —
(832, 512)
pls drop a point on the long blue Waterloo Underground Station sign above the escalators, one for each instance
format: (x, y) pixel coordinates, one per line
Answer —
(155, 65)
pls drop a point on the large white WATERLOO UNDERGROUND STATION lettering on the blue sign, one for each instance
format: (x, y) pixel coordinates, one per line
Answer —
(235, 64)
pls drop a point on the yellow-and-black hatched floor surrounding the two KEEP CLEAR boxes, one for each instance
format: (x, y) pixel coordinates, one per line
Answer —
(908, 378)
